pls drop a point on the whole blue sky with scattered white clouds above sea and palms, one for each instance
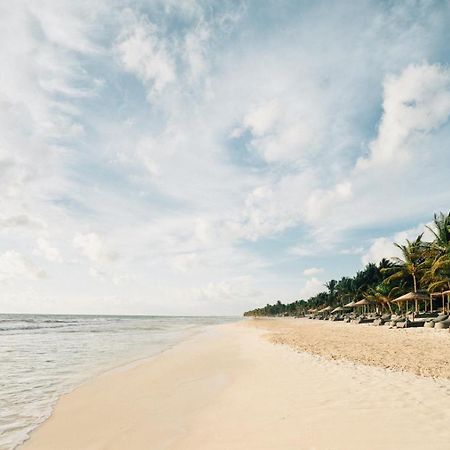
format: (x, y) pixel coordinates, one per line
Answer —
(196, 157)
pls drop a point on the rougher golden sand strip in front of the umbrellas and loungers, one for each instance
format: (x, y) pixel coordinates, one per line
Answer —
(422, 351)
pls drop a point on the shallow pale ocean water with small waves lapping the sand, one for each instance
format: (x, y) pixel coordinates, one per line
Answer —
(45, 356)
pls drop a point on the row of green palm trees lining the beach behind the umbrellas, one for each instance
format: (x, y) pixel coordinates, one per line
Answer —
(423, 267)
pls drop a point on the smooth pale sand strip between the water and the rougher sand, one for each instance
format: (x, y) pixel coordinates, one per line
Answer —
(231, 388)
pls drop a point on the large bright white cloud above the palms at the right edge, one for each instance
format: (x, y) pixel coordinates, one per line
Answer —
(401, 178)
